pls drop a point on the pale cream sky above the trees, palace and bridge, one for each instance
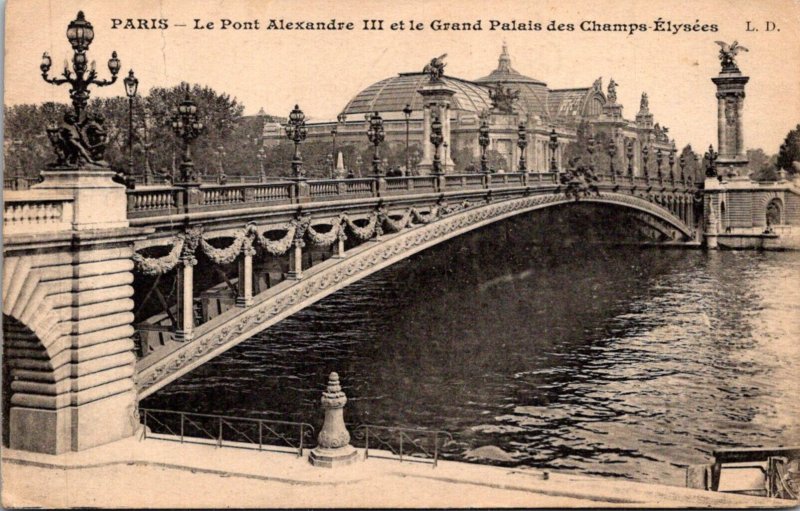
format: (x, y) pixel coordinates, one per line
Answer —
(322, 70)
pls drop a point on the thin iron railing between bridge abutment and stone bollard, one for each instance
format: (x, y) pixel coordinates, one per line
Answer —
(227, 431)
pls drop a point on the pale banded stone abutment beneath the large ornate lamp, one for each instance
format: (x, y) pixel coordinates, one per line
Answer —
(67, 314)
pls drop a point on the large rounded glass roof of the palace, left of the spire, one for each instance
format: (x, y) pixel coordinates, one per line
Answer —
(393, 94)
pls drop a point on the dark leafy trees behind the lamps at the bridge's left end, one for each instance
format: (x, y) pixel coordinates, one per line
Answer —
(28, 150)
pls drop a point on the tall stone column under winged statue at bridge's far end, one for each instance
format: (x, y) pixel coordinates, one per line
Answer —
(730, 82)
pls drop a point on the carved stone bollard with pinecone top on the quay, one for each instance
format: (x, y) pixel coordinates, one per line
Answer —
(334, 447)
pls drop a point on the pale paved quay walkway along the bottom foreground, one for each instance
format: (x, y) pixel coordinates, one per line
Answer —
(151, 473)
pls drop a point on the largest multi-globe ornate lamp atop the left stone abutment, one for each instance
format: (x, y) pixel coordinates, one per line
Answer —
(80, 34)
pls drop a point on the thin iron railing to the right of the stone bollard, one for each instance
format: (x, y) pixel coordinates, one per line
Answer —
(404, 444)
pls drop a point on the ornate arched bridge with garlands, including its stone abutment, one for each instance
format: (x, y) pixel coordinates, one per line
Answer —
(91, 327)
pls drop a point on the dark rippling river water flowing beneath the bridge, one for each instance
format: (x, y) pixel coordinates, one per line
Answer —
(568, 354)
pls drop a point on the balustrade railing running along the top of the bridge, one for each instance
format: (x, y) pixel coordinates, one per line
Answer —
(168, 200)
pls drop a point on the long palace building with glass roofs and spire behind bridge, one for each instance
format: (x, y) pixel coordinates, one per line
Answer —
(506, 98)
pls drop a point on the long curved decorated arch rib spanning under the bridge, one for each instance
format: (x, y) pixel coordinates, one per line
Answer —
(236, 325)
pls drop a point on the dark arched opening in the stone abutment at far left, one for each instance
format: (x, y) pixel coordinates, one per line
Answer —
(16, 338)
